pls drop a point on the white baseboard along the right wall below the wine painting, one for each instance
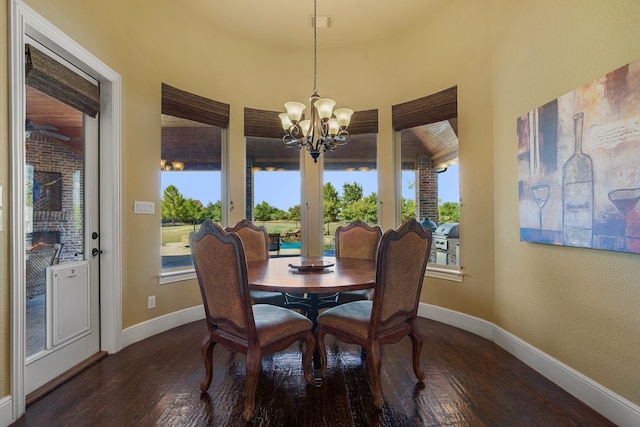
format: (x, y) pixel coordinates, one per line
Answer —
(612, 406)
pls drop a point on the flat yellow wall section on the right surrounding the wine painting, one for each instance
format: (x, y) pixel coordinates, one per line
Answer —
(578, 305)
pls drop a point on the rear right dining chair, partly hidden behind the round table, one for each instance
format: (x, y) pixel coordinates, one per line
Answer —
(357, 240)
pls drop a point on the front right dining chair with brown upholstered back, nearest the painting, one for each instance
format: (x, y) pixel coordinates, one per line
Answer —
(391, 315)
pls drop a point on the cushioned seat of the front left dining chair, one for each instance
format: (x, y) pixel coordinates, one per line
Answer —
(274, 323)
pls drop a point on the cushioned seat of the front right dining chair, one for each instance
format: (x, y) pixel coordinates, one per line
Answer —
(353, 317)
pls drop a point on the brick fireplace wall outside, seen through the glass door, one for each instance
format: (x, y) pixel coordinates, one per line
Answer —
(46, 156)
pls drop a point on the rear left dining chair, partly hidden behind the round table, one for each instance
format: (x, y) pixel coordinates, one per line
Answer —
(256, 247)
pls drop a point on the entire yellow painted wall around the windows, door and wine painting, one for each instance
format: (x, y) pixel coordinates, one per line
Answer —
(505, 57)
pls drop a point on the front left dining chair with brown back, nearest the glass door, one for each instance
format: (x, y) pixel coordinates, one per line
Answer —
(232, 320)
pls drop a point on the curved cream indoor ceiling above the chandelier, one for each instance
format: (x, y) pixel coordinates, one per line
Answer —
(287, 22)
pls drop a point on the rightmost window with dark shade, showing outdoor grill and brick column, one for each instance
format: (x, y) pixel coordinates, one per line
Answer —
(427, 129)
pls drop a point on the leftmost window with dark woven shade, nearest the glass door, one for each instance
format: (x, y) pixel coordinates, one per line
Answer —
(193, 130)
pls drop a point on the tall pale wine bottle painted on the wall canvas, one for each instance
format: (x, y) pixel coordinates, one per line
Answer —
(577, 193)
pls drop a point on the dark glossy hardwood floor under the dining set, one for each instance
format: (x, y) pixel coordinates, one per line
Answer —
(469, 382)
